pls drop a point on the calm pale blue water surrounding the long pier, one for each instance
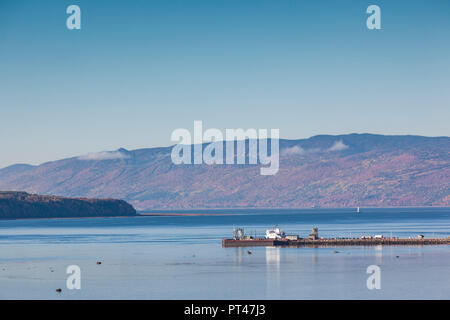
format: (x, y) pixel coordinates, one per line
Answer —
(181, 257)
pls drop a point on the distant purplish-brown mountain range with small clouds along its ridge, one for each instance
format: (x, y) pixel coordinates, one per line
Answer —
(325, 171)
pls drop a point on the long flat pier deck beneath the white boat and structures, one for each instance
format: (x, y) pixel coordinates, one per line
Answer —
(261, 242)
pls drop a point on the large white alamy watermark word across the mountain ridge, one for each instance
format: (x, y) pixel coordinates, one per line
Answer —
(208, 147)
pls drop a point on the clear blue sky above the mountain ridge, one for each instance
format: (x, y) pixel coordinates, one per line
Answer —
(140, 69)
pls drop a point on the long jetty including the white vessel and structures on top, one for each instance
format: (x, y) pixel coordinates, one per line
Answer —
(277, 238)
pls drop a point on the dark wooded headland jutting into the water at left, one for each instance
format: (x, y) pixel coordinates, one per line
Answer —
(21, 205)
